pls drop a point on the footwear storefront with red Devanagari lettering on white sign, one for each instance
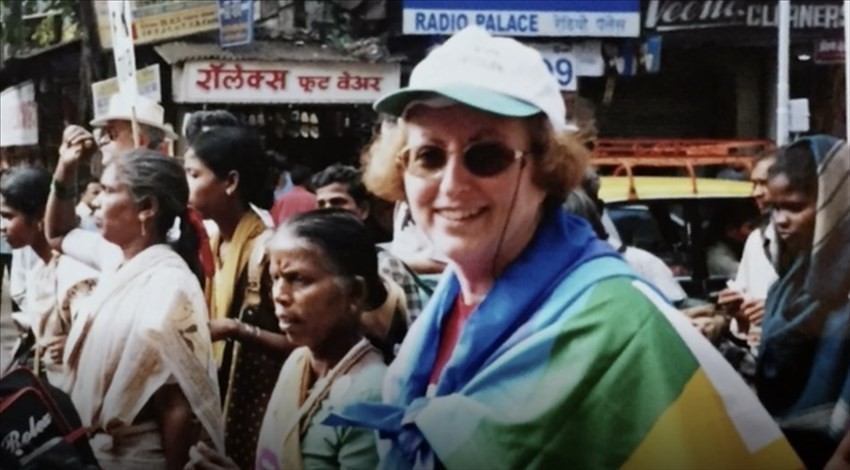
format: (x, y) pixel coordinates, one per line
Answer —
(310, 103)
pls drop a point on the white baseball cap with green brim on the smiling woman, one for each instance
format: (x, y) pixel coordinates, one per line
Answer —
(495, 74)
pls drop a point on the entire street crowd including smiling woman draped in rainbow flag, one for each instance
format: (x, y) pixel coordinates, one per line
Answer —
(202, 314)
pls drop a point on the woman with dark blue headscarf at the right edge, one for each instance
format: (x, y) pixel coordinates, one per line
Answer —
(803, 372)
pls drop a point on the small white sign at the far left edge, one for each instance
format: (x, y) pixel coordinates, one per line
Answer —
(18, 116)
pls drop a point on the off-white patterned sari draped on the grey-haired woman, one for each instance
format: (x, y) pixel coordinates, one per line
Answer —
(144, 327)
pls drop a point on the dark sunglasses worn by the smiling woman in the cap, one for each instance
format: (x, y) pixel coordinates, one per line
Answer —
(482, 159)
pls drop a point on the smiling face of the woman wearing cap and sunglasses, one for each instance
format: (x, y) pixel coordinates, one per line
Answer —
(463, 214)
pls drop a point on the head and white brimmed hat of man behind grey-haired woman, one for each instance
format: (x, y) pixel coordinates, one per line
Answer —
(118, 128)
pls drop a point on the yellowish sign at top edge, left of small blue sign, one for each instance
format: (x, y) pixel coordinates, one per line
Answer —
(161, 21)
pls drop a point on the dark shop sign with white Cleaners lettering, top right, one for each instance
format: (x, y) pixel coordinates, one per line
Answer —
(672, 15)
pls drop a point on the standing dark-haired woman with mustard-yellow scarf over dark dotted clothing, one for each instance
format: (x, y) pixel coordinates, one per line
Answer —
(226, 169)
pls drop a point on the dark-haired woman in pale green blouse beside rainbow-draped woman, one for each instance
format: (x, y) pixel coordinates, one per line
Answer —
(323, 264)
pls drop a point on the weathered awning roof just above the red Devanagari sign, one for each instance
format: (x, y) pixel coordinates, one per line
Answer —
(266, 51)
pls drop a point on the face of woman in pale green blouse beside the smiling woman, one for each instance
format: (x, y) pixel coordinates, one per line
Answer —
(311, 304)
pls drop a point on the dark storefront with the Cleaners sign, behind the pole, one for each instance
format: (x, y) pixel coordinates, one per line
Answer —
(719, 72)
